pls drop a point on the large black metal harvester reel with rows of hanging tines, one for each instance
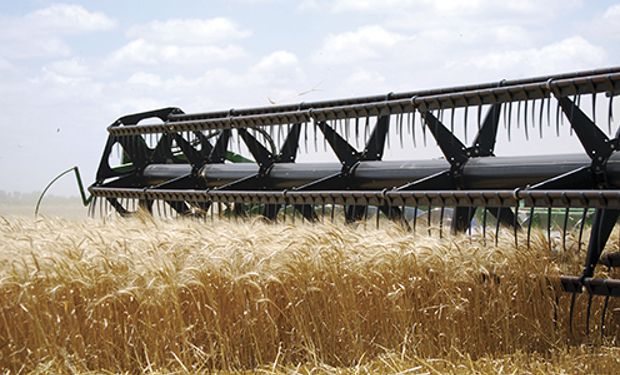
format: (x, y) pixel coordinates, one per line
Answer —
(181, 166)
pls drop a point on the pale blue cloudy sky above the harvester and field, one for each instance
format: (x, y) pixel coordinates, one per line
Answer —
(67, 70)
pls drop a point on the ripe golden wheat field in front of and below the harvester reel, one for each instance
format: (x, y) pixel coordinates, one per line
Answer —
(180, 296)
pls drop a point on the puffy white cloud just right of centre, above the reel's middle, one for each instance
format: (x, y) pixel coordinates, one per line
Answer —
(366, 42)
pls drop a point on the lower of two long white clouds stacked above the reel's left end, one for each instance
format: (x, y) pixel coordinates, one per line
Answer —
(143, 52)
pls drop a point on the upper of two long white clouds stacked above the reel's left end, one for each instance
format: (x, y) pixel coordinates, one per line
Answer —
(188, 31)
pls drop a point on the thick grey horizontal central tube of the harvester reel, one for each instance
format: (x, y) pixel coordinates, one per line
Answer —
(479, 173)
